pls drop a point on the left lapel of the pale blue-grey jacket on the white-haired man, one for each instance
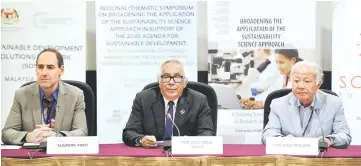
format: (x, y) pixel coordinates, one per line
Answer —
(294, 115)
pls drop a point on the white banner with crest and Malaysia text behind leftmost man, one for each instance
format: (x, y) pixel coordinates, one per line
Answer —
(28, 27)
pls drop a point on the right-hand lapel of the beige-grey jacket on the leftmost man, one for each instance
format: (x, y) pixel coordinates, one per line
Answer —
(60, 106)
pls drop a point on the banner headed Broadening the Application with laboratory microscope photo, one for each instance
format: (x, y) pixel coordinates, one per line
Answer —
(242, 37)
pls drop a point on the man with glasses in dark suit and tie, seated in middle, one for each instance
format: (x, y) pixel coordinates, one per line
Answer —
(153, 110)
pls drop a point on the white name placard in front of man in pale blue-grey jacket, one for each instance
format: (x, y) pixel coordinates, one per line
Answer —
(292, 146)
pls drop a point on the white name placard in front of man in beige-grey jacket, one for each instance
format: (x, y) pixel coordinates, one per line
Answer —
(72, 145)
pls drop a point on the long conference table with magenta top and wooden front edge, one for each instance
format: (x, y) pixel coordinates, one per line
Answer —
(240, 154)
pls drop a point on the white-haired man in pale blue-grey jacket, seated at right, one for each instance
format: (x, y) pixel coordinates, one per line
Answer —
(307, 110)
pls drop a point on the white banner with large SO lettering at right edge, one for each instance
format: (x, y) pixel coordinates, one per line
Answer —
(346, 62)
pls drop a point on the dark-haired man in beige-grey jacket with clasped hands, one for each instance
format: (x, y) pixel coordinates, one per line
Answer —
(46, 108)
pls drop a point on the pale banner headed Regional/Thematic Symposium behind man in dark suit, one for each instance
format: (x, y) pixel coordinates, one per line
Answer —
(133, 39)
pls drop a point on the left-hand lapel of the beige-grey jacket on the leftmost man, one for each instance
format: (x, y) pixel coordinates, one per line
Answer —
(34, 100)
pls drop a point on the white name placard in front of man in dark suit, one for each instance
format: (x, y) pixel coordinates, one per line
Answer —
(197, 145)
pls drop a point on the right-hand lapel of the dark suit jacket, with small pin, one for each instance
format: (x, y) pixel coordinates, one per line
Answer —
(181, 113)
